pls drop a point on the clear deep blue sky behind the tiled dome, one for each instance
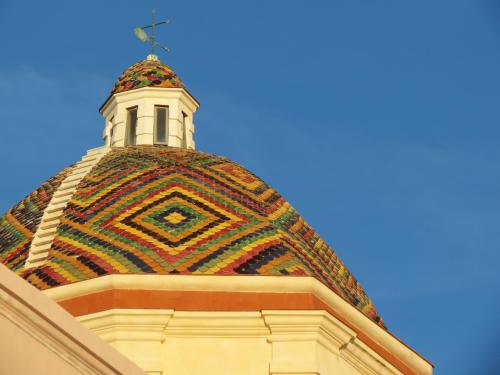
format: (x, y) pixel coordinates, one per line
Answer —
(377, 119)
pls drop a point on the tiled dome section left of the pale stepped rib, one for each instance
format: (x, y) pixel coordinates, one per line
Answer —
(19, 224)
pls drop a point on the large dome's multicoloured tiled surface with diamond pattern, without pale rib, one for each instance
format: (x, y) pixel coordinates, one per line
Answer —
(164, 210)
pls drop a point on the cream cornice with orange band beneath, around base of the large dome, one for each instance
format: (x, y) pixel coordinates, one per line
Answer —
(233, 293)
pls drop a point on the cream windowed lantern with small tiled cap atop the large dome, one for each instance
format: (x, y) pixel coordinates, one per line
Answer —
(149, 105)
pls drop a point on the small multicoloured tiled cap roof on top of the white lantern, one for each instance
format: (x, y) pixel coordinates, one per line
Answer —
(147, 73)
